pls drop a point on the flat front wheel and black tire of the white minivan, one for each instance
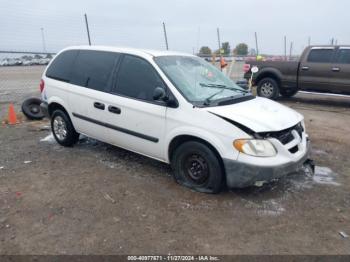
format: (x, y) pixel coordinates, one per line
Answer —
(196, 166)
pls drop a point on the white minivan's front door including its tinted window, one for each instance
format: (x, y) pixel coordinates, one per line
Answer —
(136, 121)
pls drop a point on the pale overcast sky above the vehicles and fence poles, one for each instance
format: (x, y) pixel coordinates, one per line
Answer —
(190, 24)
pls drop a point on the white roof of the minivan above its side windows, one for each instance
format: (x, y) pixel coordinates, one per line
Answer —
(127, 50)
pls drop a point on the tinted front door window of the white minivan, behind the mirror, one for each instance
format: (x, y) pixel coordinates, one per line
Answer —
(137, 79)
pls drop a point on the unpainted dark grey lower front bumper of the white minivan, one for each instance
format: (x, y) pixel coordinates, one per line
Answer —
(239, 175)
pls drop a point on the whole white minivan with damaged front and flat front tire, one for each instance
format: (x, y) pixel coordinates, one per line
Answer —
(176, 108)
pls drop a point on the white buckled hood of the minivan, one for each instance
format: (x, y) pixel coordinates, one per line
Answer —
(259, 114)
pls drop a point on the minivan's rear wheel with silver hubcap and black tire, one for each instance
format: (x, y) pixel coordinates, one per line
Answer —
(63, 123)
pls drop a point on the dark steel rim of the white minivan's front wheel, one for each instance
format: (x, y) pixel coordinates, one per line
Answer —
(196, 169)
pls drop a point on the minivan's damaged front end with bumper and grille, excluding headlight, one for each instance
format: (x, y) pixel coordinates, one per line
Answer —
(293, 152)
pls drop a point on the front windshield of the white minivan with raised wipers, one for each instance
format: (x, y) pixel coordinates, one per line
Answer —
(198, 80)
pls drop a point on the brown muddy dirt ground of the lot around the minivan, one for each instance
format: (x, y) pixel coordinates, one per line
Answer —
(99, 199)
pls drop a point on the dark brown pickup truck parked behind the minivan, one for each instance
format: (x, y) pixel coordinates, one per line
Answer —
(323, 69)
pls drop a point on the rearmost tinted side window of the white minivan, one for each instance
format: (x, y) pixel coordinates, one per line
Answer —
(61, 66)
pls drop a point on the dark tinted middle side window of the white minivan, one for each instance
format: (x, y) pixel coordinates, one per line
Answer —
(93, 69)
